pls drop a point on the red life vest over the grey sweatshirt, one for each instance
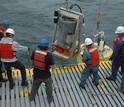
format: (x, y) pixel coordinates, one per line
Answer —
(6, 51)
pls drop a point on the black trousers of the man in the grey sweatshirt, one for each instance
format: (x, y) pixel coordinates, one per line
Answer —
(17, 65)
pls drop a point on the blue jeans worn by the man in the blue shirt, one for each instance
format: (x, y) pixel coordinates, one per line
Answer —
(86, 73)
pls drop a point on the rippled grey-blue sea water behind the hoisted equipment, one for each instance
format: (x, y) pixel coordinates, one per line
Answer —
(33, 19)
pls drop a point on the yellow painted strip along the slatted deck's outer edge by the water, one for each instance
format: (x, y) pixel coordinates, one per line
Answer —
(74, 68)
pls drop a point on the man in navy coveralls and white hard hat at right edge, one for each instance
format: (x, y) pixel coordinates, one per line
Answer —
(118, 53)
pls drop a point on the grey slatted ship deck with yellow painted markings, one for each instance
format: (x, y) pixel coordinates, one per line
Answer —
(66, 92)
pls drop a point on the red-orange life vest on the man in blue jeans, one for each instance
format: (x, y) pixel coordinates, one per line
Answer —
(94, 56)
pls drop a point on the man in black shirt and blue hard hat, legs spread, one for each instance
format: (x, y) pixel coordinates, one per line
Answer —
(42, 61)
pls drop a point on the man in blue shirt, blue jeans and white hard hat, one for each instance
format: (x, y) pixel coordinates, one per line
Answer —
(91, 59)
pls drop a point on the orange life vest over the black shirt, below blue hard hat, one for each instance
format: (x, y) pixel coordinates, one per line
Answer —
(39, 59)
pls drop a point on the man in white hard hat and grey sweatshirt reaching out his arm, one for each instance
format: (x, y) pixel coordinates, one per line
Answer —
(8, 47)
